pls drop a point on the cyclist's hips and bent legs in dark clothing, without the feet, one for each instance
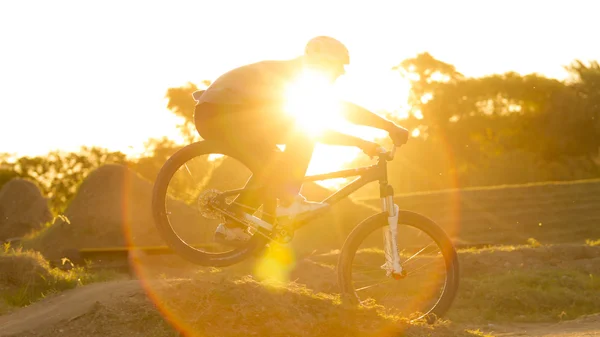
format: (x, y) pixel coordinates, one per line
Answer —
(258, 130)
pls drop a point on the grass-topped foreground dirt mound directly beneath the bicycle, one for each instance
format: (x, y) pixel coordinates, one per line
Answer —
(211, 306)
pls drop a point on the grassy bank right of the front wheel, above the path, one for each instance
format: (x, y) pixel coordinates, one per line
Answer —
(535, 283)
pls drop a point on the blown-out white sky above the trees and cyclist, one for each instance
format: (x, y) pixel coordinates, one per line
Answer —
(95, 73)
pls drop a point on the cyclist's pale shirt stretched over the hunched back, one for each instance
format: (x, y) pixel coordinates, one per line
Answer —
(253, 84)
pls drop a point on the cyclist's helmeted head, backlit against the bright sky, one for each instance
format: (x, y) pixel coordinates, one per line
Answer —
(328, 55)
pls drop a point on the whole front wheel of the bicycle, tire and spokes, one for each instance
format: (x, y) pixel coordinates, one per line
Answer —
(428, 259)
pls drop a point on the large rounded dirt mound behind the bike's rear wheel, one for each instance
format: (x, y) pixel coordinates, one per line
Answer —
(112, 208)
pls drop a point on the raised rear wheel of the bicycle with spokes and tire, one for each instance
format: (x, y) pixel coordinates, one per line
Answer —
(193, 174)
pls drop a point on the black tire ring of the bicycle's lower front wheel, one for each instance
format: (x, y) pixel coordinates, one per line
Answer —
(362, 230)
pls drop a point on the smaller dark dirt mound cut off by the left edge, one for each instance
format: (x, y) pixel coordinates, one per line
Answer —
(22, 209)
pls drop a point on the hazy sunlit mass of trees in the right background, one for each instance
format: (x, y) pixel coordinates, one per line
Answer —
(497, 129)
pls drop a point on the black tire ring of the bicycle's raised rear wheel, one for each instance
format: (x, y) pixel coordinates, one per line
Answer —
(161, 220)
